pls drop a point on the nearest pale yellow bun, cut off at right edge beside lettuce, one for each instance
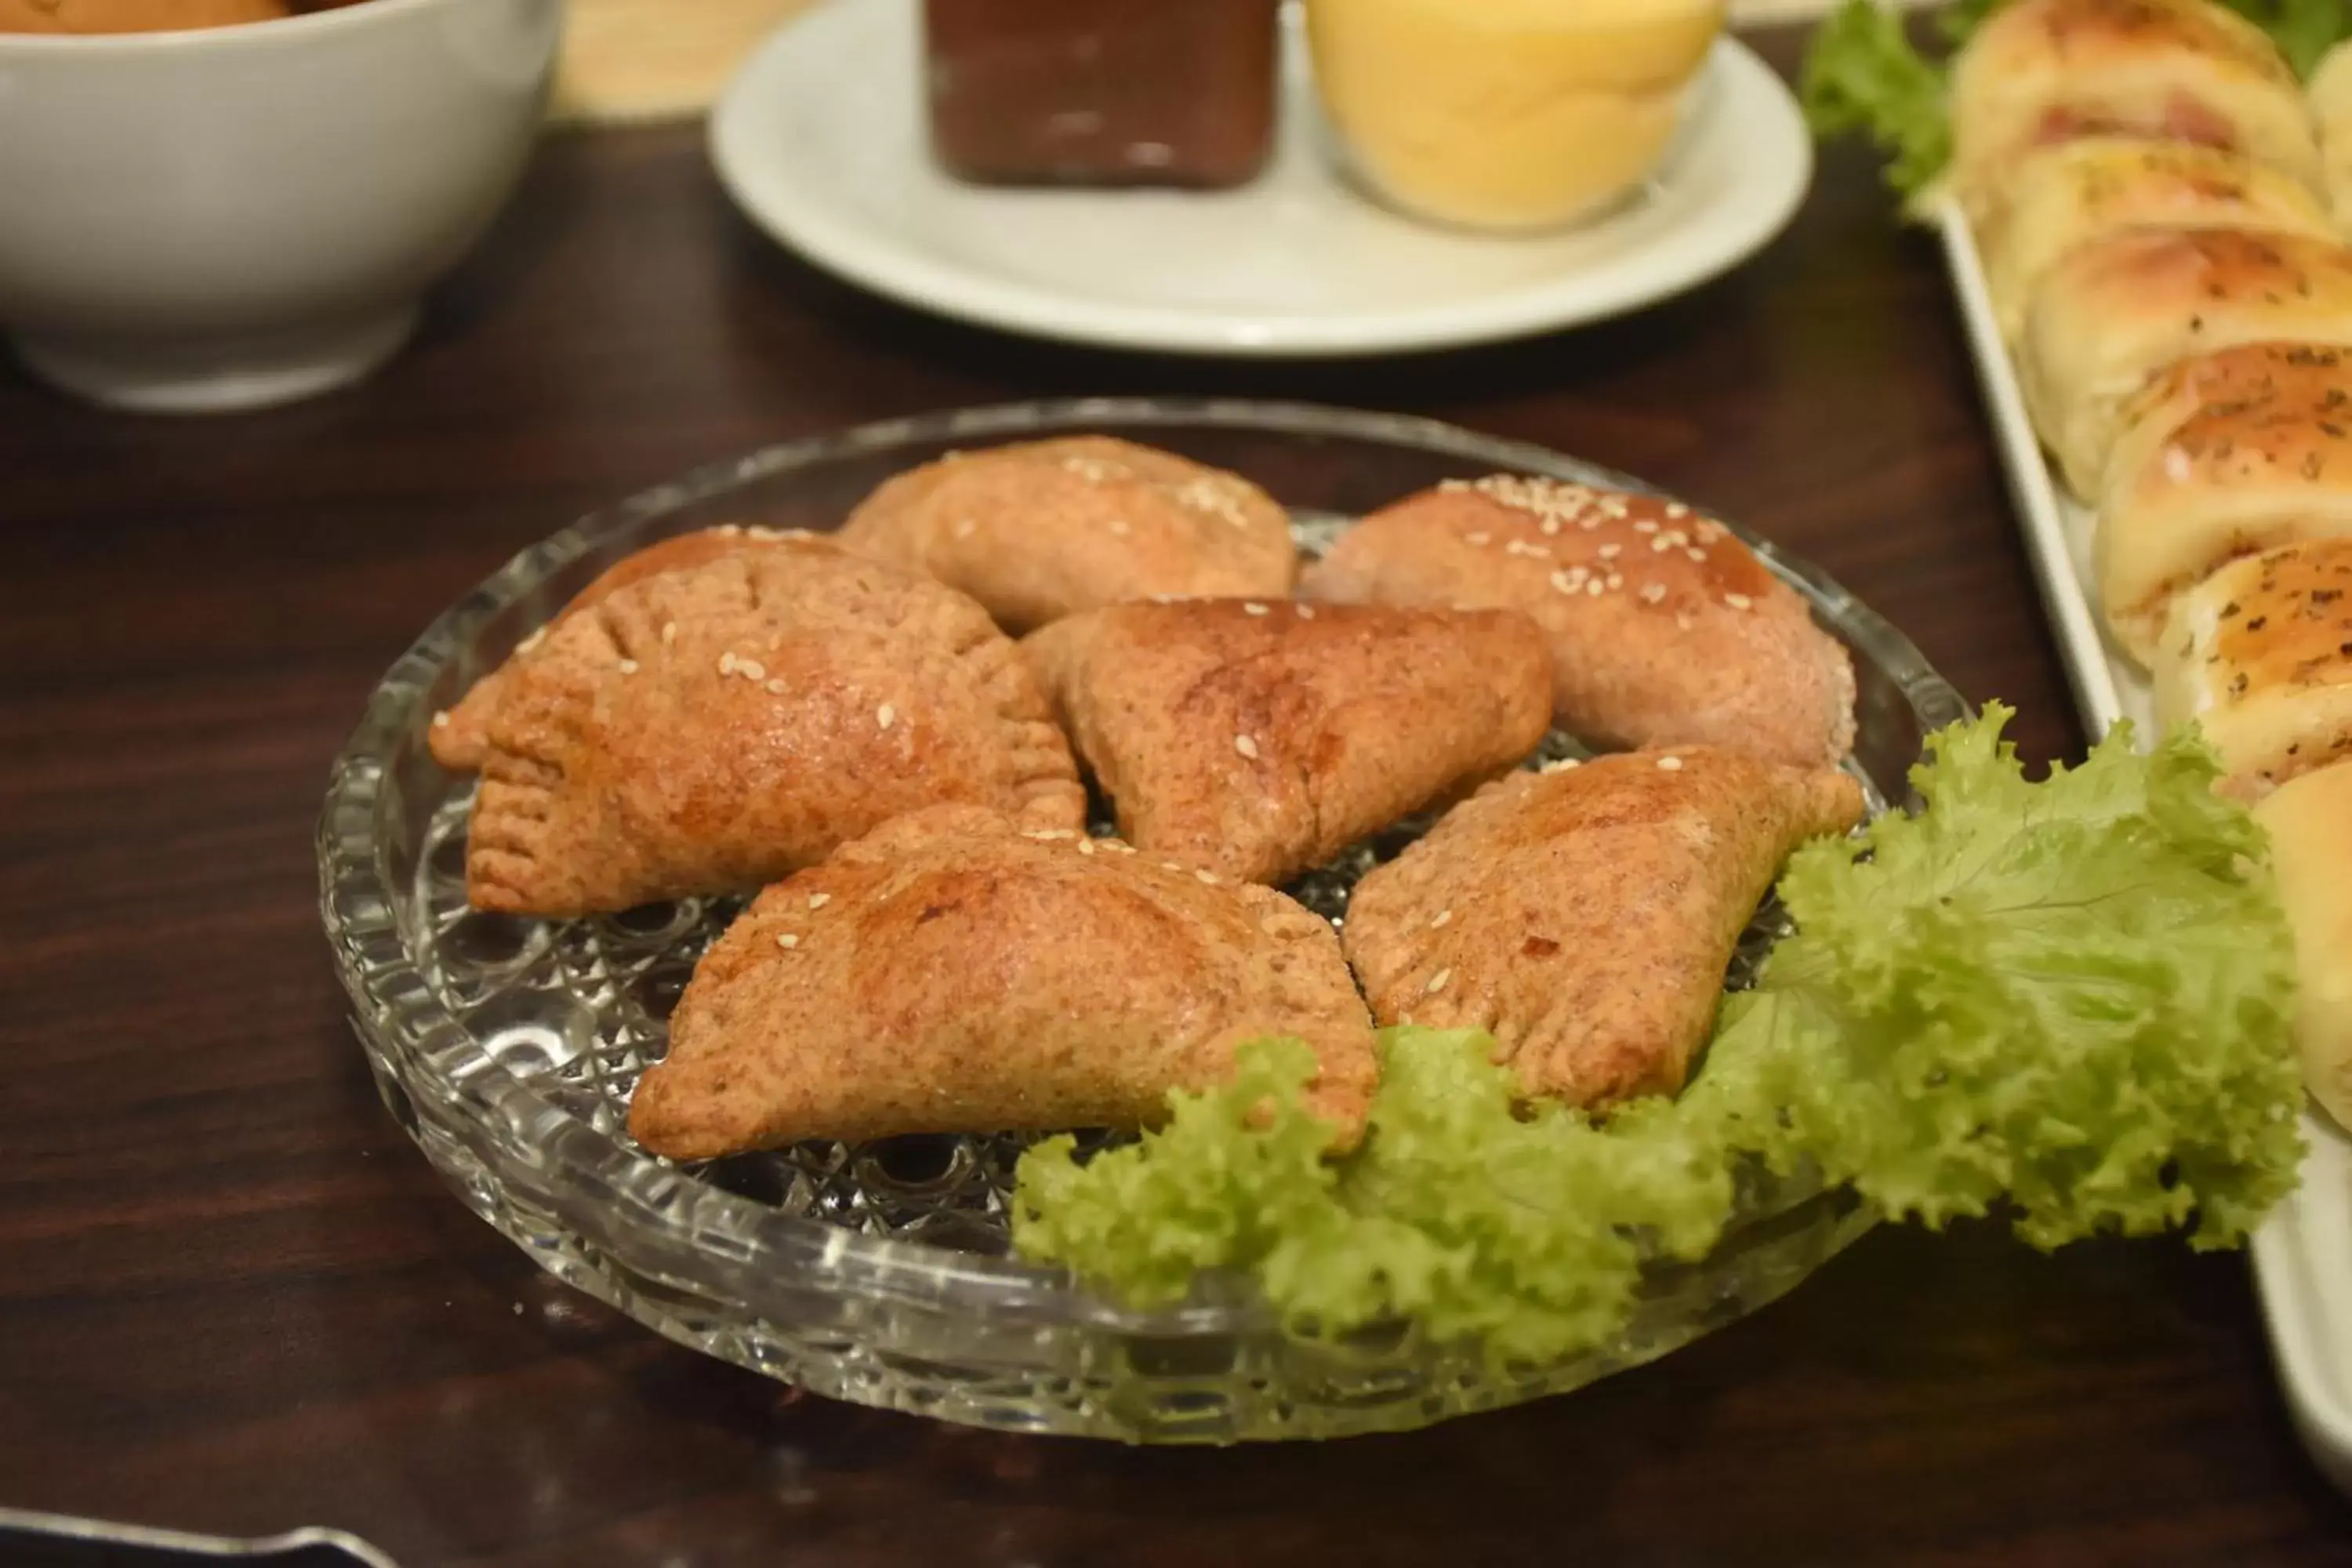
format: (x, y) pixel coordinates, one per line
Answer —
(2311, 855)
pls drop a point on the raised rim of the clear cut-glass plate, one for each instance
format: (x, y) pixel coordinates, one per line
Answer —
(648, 1200)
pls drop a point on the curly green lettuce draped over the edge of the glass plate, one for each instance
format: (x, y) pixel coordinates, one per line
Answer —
(2064, 996)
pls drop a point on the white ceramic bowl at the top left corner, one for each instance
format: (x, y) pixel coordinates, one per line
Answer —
(239, 217)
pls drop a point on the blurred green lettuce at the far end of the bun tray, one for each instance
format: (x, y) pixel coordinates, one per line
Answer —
(1864, 76)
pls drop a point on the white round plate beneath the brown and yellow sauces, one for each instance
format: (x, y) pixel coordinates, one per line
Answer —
(822, 142)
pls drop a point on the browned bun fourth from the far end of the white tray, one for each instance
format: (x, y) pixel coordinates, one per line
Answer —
(2224, 455)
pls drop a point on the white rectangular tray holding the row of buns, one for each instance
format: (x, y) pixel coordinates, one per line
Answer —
(2304, 1252)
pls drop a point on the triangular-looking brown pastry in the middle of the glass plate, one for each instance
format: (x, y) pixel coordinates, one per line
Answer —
(1259, 739)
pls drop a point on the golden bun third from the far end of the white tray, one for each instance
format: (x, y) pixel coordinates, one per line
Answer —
(2125, 309)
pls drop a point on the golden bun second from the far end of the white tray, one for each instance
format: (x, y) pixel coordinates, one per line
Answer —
(2071, 194)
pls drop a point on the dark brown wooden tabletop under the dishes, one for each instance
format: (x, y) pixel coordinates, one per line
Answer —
(234, 1299)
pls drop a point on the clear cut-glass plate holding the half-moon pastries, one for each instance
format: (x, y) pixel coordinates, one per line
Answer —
(881, 1273)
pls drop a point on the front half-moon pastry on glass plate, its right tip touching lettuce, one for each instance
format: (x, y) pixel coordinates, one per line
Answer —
(951, 974)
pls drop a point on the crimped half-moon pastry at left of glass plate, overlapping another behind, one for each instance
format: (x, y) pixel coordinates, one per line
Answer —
(723, 725)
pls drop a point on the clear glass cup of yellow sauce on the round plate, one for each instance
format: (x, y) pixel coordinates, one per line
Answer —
(1509, 114)
